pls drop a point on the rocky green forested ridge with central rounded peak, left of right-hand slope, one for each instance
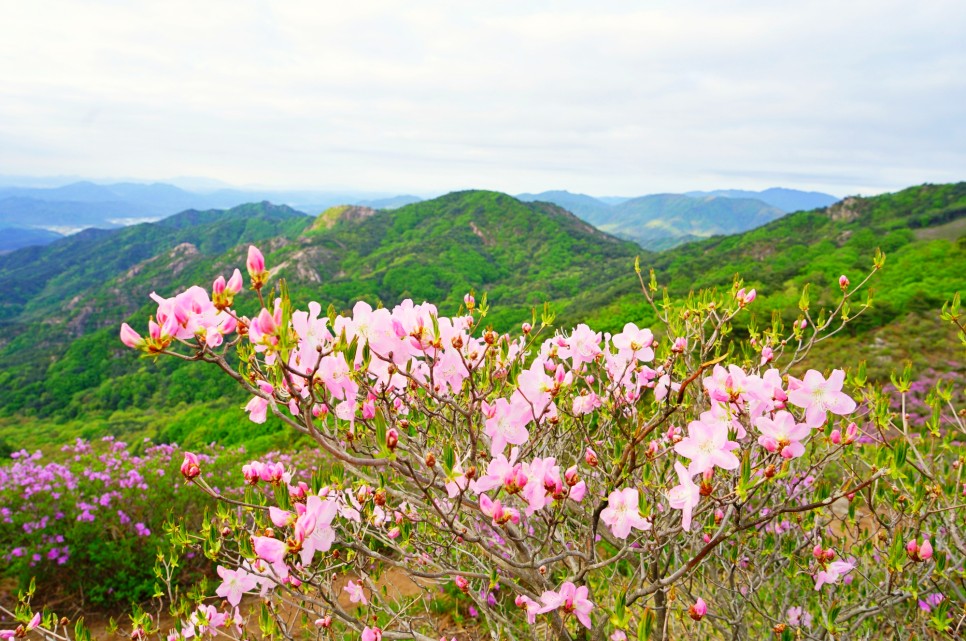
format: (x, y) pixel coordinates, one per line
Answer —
(60, 355)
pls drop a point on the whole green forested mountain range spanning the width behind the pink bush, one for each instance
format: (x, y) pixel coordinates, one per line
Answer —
(65, 373)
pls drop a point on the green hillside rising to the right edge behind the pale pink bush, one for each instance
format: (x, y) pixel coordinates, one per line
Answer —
(921, 230)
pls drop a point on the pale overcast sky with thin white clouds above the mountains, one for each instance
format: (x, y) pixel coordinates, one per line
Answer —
(605, 97)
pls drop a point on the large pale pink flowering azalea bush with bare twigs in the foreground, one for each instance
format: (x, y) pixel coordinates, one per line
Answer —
(673, 482)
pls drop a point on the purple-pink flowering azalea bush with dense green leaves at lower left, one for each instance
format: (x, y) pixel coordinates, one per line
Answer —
(88, 520)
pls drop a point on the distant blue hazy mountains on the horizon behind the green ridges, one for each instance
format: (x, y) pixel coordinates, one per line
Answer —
(35, 215)
